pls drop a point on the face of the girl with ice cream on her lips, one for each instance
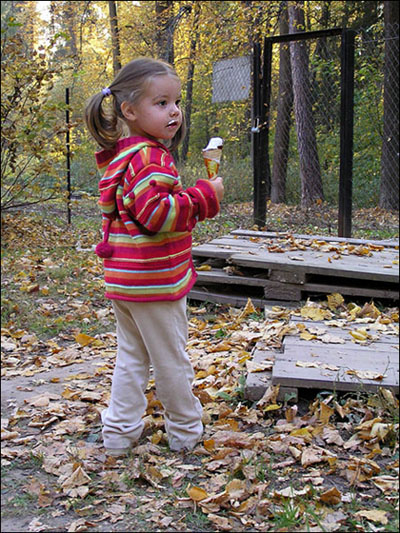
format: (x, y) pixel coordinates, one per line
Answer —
(157, 114)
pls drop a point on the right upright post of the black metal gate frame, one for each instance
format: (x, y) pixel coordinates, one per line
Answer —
(346, 133)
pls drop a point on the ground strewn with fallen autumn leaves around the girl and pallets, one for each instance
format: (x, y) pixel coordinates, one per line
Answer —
(326, 463)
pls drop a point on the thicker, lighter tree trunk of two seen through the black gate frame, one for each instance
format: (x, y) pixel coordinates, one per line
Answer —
(310, 173)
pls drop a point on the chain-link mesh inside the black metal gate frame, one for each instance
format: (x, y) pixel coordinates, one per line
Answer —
(305, 122)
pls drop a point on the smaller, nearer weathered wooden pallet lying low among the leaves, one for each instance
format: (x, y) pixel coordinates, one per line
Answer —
(328, 366)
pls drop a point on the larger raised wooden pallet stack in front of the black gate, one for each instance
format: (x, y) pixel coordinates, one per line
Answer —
(243, 265)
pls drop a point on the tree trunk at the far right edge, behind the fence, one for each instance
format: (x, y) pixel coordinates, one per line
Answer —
(389, 187)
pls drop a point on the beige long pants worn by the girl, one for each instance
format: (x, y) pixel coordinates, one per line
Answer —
(152, 333)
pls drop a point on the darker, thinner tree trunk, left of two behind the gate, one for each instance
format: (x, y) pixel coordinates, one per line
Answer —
(283, 119)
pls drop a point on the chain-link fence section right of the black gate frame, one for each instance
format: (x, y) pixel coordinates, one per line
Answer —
(376, 118)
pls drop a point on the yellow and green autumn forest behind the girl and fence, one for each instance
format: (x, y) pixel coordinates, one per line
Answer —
(48, 47)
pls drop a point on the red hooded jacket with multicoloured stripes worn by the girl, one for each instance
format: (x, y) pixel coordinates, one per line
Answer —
(148, 218)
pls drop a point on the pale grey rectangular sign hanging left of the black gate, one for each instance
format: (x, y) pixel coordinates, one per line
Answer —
(231, 79)
